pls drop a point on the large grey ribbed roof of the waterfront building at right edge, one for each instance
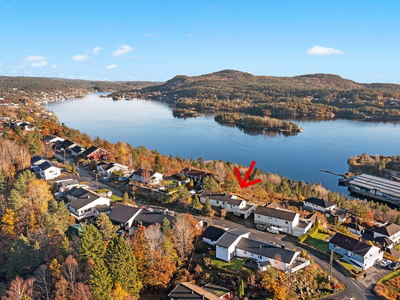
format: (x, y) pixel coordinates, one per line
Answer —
(385, 186)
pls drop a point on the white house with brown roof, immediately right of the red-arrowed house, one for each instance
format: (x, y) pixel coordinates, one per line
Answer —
(288, 221)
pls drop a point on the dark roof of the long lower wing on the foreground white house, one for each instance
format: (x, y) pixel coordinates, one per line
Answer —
(265, 249)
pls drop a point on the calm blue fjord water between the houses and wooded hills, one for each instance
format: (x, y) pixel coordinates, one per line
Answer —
(323, 144)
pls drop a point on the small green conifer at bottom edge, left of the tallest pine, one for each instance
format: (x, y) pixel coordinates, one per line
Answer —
(100, 281)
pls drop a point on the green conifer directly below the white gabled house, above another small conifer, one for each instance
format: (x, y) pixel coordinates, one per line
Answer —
(92, 245)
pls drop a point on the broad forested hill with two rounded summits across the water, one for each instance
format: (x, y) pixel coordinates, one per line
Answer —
(231, 84)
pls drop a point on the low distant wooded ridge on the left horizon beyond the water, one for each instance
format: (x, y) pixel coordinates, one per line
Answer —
(40, 84)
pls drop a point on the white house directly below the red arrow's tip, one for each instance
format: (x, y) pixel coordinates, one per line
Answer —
(230, 203)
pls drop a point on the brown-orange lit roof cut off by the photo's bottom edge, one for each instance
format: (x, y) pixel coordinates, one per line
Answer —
(190, 291)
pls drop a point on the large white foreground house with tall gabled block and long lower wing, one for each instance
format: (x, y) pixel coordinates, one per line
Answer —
(236, 243)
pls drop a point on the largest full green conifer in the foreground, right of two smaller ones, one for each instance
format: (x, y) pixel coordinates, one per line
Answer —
(121, 264)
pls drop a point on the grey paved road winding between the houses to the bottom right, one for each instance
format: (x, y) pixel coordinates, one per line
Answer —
(358, 289)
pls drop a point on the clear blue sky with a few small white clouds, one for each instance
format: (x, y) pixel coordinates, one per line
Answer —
(156, 40)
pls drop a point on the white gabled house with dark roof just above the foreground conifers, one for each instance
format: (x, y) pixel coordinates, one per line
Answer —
(85, 203)
